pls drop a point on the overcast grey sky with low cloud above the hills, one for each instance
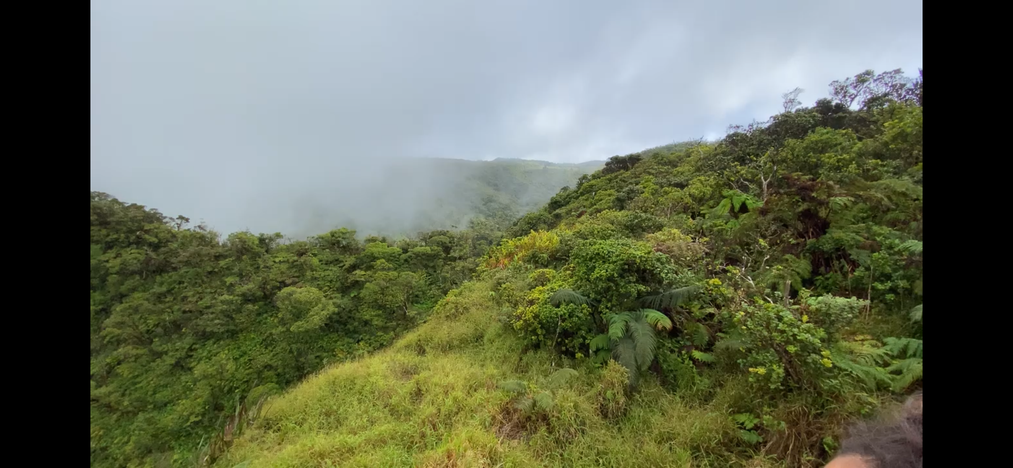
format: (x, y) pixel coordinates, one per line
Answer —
(238, 112)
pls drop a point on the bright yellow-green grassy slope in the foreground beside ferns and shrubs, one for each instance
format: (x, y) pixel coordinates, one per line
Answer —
(433, 400)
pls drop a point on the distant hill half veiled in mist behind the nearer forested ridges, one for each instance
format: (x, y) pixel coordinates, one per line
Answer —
(428, 194)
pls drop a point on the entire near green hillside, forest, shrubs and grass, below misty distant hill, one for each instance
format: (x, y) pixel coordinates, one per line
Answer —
(702, 304)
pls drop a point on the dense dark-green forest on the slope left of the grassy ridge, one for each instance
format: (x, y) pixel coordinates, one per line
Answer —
(187, 327)
